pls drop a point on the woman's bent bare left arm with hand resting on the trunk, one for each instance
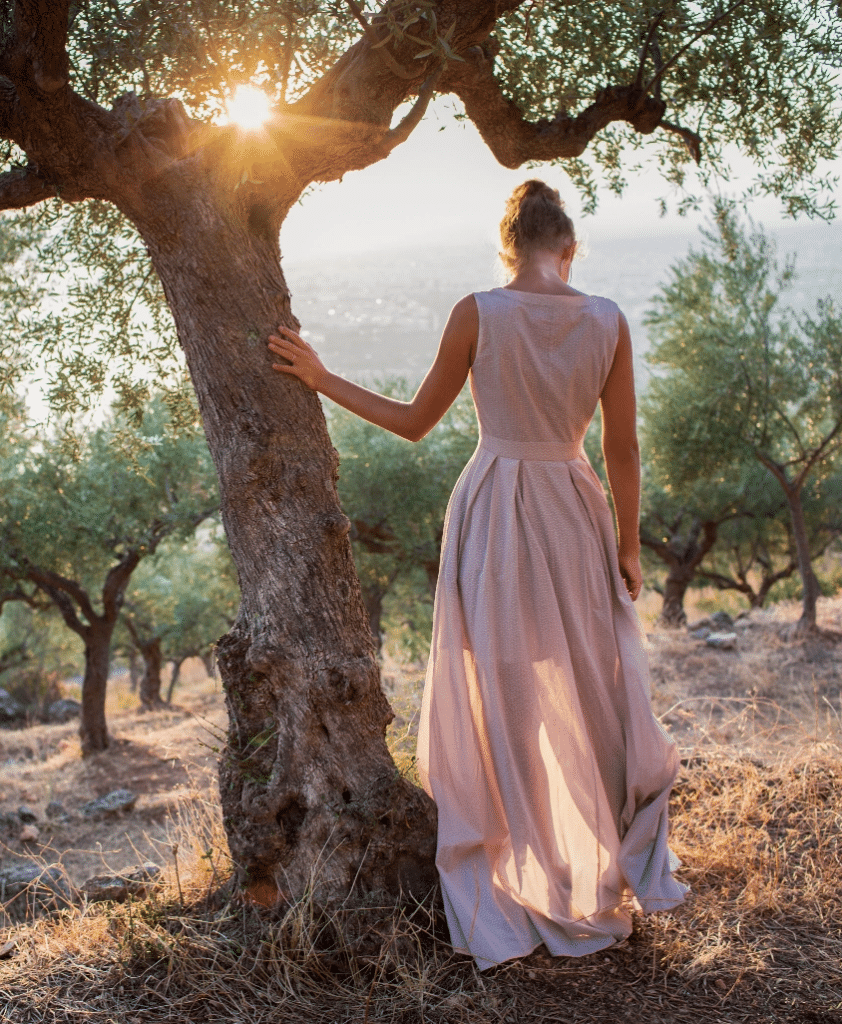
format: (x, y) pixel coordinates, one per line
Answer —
(407, 419)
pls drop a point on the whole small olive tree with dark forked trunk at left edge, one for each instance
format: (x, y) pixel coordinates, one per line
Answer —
(79, 513)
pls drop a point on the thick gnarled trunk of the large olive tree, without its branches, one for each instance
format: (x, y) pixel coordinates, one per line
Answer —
(311, 796)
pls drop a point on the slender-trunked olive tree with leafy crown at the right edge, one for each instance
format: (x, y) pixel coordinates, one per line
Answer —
(738, 377)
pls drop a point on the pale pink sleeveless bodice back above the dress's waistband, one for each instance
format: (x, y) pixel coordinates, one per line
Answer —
(541, 363)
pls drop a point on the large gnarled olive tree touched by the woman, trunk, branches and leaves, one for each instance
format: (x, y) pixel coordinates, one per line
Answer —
(107, 112)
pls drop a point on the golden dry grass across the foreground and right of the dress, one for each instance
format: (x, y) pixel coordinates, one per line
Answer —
(759, 941)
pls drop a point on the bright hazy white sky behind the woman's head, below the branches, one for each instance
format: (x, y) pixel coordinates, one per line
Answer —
(444, 184)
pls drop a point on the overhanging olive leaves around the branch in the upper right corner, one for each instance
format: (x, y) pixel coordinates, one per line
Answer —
(762, 81)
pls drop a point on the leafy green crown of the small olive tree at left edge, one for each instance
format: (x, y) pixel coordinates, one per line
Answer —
(75, 502)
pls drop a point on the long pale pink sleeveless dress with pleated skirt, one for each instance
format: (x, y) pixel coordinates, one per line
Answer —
(537, 739)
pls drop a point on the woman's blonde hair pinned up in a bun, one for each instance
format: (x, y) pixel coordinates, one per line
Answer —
(534, 220)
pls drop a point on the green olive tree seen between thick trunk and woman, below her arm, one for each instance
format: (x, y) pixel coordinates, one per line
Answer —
(396, 494)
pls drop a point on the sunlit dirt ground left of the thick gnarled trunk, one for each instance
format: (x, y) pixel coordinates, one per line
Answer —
(167, 758)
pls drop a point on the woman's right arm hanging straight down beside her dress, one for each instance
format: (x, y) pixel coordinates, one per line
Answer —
(623, 457)
